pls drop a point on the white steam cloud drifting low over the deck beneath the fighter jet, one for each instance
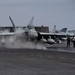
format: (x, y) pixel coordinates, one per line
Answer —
(19, 41)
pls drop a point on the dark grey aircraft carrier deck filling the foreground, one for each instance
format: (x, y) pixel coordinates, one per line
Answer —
(51, 61)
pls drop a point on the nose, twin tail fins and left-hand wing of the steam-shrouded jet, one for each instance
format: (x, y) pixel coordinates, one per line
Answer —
(29, 31)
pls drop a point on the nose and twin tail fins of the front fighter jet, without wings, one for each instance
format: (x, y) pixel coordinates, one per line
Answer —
(29, 30)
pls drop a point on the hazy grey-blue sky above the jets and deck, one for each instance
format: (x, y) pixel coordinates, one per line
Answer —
(46, 12)
